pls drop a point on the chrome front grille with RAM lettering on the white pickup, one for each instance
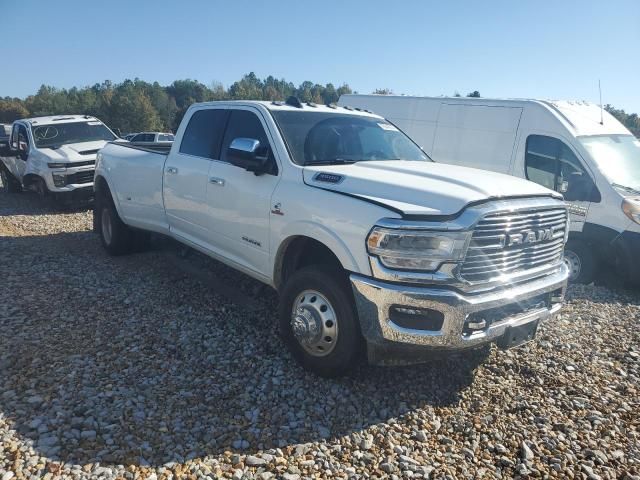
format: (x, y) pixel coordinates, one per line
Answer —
(511, 242)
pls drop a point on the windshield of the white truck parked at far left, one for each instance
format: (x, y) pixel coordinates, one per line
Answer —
(64, 133)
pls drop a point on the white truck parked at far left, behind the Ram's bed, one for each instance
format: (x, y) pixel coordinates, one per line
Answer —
(54, 156)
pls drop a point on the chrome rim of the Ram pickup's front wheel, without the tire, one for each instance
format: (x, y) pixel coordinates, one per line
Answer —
(314, 323)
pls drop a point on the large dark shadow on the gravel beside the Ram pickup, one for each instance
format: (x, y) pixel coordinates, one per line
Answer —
(132, 360)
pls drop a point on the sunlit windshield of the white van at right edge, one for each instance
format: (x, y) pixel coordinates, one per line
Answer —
(617, 157)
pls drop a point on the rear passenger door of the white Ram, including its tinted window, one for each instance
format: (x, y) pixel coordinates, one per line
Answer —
(186, 175)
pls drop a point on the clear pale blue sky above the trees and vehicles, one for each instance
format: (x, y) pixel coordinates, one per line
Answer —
(541, 49)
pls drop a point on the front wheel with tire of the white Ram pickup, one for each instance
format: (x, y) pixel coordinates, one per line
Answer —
(318, 321)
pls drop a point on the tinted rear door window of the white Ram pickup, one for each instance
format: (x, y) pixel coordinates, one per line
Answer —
(203, 134)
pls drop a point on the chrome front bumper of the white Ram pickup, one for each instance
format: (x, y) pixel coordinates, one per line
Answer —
(386, 339)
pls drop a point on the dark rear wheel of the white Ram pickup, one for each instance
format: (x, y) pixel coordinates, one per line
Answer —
(116, 237)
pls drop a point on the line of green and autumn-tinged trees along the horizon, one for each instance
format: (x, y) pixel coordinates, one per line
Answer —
(136, 105)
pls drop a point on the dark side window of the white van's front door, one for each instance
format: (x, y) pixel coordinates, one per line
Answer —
(551, 163)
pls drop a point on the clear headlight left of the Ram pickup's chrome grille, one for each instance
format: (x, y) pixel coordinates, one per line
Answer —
(415, 249)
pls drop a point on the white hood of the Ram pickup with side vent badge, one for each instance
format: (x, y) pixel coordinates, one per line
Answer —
(420, 188)
